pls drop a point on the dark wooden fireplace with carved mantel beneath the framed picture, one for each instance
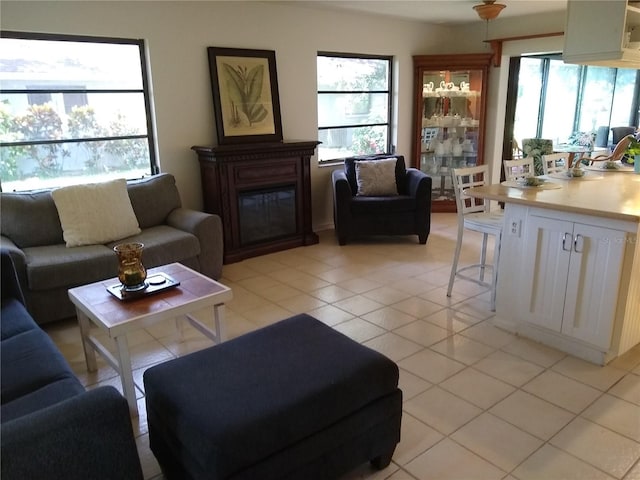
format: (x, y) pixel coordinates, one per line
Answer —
(273, 177)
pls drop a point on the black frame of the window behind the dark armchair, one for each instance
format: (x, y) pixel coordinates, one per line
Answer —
(388, 92)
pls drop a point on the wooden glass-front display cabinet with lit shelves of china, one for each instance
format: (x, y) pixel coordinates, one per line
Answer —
(449, 118)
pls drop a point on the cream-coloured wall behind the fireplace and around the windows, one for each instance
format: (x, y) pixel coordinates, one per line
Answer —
(178, 32)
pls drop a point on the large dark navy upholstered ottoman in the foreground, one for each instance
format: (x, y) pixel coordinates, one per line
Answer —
(295, 400)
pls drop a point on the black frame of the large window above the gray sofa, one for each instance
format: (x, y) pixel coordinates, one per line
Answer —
(145, 91)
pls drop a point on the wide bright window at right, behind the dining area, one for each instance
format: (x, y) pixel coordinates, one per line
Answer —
(559, 101)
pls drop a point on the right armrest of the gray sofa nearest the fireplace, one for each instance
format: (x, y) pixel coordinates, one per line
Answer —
(208, 228)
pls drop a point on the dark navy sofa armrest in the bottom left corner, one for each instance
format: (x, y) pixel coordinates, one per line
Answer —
(87, 436)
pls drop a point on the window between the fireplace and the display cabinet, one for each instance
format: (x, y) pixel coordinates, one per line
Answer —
(354, 105)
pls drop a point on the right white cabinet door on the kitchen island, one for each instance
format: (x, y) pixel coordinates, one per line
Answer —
(592, 287)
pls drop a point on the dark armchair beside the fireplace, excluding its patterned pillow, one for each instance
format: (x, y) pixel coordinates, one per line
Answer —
(407, 213)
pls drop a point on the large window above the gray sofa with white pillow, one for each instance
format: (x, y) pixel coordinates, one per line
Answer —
(72, 110)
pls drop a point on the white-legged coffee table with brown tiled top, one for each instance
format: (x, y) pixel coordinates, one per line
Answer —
(94, 304)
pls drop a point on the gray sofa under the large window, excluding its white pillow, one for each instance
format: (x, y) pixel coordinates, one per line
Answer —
(32, 234)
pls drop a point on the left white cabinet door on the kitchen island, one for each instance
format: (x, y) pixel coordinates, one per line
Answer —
(545, 272)
